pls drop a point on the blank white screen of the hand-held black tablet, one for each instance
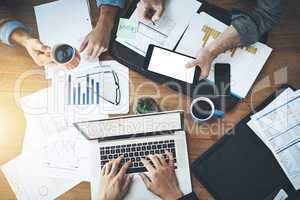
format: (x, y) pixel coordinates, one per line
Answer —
(171, 64)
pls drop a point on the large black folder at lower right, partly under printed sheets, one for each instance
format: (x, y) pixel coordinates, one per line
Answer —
(241, 167)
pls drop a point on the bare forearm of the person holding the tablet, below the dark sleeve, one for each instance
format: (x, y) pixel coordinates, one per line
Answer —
(227, 40)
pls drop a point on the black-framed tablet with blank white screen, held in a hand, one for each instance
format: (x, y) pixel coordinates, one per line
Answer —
(171, 64)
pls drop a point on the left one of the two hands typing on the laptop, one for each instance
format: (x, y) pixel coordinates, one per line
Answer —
(114, 182)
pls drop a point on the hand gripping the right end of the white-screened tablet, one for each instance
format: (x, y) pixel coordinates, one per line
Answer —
(204, 59)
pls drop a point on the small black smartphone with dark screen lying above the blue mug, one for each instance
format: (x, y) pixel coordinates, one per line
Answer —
(222, 78)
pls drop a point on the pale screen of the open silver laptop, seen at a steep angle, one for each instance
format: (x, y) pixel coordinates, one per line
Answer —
(131, 125)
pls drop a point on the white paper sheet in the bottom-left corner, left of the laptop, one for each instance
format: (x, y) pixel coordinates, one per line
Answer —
(29, 182)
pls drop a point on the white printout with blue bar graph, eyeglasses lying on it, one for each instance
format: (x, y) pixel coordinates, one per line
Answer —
(105, 86)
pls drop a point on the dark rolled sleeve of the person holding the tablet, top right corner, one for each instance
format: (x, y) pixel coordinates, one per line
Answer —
(251, 24)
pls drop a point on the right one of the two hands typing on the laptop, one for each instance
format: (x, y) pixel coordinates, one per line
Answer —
(162, 179)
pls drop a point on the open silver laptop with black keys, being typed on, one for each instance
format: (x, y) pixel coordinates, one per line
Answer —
(136, 137)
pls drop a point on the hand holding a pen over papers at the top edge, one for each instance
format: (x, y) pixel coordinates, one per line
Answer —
(150, 10)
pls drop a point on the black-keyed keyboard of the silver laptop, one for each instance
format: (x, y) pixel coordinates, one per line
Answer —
(135, 152)
